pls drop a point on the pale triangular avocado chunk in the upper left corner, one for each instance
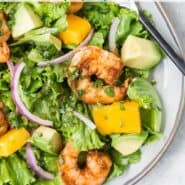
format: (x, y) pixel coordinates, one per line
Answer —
(25, 20)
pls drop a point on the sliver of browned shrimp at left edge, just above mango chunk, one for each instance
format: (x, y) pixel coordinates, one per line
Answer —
(3, 121)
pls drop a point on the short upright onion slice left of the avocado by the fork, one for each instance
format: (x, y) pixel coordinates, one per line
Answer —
(112, 34)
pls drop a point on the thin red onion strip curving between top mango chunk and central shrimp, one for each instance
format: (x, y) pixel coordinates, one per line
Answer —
(68, 55)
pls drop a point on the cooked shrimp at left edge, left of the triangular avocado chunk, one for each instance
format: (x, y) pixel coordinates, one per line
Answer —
(4, 36)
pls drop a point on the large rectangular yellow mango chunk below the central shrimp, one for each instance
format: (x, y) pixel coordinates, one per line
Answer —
(119, 117)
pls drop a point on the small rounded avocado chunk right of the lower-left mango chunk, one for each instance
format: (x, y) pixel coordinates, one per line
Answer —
(47, 139)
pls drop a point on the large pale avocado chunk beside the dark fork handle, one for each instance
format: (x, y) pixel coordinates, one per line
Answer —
(140, 53)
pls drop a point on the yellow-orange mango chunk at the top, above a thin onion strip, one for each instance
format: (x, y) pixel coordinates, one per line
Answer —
(78, 29)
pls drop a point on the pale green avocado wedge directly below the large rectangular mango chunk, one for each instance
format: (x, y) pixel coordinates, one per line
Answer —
(127, 144)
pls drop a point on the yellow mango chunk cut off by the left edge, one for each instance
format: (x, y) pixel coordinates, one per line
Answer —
(12, 141)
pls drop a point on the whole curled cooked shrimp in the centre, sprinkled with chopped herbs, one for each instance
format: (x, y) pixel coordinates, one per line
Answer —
(92, 60)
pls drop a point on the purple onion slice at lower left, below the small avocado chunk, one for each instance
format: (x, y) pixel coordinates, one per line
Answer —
(32, 162)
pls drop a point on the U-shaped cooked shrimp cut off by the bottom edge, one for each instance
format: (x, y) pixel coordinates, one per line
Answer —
(98, 165)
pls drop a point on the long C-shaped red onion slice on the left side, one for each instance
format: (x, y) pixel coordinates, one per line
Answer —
(17, 100)
